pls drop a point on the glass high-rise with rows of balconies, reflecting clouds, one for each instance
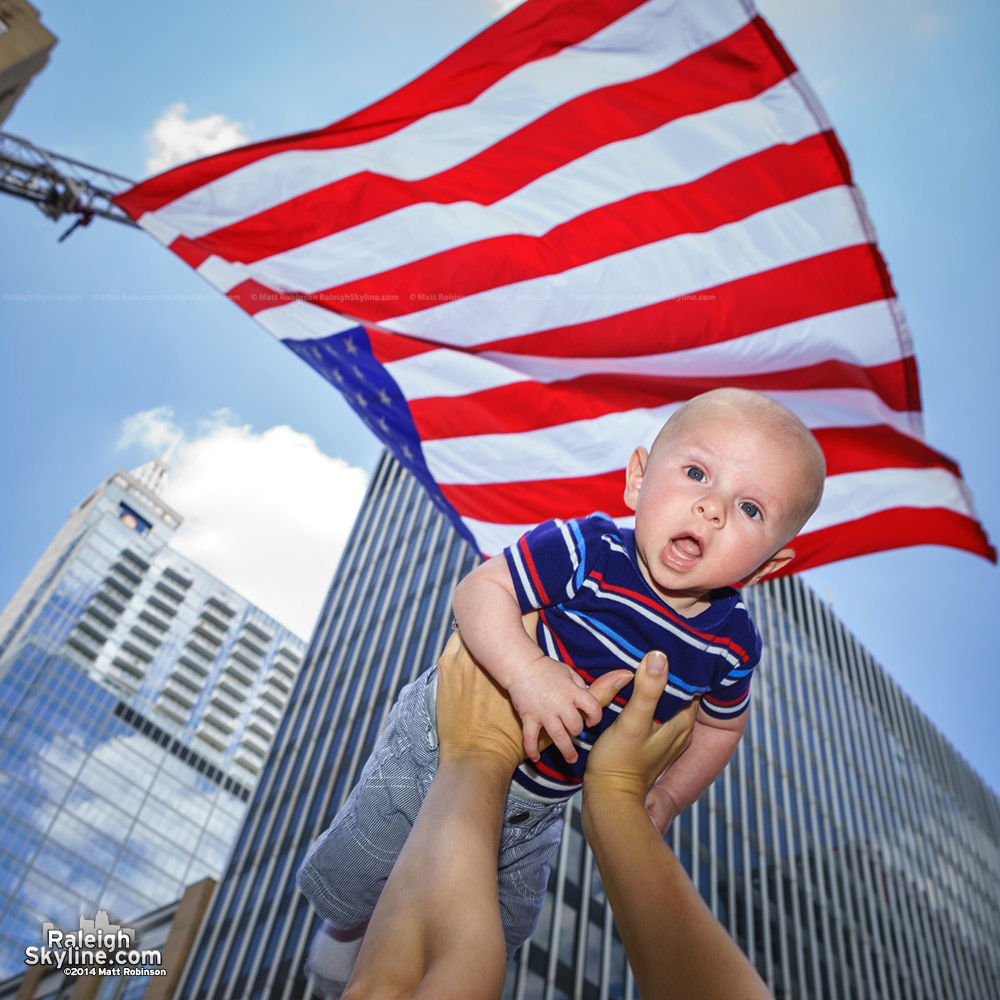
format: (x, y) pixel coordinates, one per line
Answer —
(138, 699)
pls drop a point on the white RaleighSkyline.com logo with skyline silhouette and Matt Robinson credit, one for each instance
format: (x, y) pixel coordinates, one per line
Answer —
(98, 948)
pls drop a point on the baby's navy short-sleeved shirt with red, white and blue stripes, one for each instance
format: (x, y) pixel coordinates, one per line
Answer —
(597, 613)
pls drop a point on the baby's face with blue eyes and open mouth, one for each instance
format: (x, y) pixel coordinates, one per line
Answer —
(714, 506)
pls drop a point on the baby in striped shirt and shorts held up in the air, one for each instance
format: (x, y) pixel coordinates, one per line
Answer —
(727, 483)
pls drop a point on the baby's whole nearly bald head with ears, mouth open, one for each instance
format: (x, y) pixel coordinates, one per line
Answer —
(731, 477)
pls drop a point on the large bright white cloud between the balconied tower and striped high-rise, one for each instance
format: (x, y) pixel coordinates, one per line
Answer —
(267, 513)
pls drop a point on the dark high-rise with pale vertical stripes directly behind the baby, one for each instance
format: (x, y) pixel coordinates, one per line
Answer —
(848, 848)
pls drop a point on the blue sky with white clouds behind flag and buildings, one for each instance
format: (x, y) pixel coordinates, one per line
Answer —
(108, 325)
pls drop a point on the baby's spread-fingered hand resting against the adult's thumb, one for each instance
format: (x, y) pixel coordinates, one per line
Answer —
(549, 695)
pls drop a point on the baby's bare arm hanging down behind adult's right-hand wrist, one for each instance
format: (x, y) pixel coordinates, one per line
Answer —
(713, 743)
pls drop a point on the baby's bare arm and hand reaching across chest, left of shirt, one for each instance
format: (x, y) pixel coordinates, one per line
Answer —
(546, 693)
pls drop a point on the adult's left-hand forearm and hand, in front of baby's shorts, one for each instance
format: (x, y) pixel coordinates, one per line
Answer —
(436, 933)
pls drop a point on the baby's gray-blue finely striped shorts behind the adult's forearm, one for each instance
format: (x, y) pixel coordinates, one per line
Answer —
(345, 870)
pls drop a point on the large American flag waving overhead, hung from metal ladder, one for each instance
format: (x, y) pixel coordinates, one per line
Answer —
(519, 264)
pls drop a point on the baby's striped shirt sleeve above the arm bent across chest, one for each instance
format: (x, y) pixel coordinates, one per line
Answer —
(549, 563)
